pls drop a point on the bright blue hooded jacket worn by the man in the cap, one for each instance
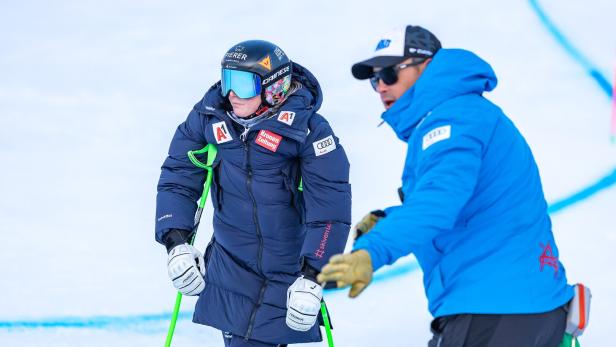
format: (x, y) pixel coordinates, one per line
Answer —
(474, 213)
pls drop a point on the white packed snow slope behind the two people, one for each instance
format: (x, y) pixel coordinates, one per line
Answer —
(91, 93)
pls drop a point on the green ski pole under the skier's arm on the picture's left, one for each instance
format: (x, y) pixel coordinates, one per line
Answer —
(211, 151)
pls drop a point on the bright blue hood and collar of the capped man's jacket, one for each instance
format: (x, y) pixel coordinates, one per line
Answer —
(451, 73)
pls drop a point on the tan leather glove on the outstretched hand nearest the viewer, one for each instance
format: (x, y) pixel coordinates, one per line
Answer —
(352, 269)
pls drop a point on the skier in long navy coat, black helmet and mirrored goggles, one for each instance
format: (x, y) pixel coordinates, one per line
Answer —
(257, 281)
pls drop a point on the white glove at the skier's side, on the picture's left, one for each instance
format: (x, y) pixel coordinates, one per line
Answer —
(186, 268)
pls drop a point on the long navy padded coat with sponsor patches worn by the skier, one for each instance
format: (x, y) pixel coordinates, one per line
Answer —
(264, 227)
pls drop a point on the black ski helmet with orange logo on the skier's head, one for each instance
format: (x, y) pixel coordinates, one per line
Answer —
(266, 60)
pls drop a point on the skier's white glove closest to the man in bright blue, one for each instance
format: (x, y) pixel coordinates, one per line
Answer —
(303, 304)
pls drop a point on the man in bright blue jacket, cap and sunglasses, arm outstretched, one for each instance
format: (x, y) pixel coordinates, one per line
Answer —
(473, 211)
